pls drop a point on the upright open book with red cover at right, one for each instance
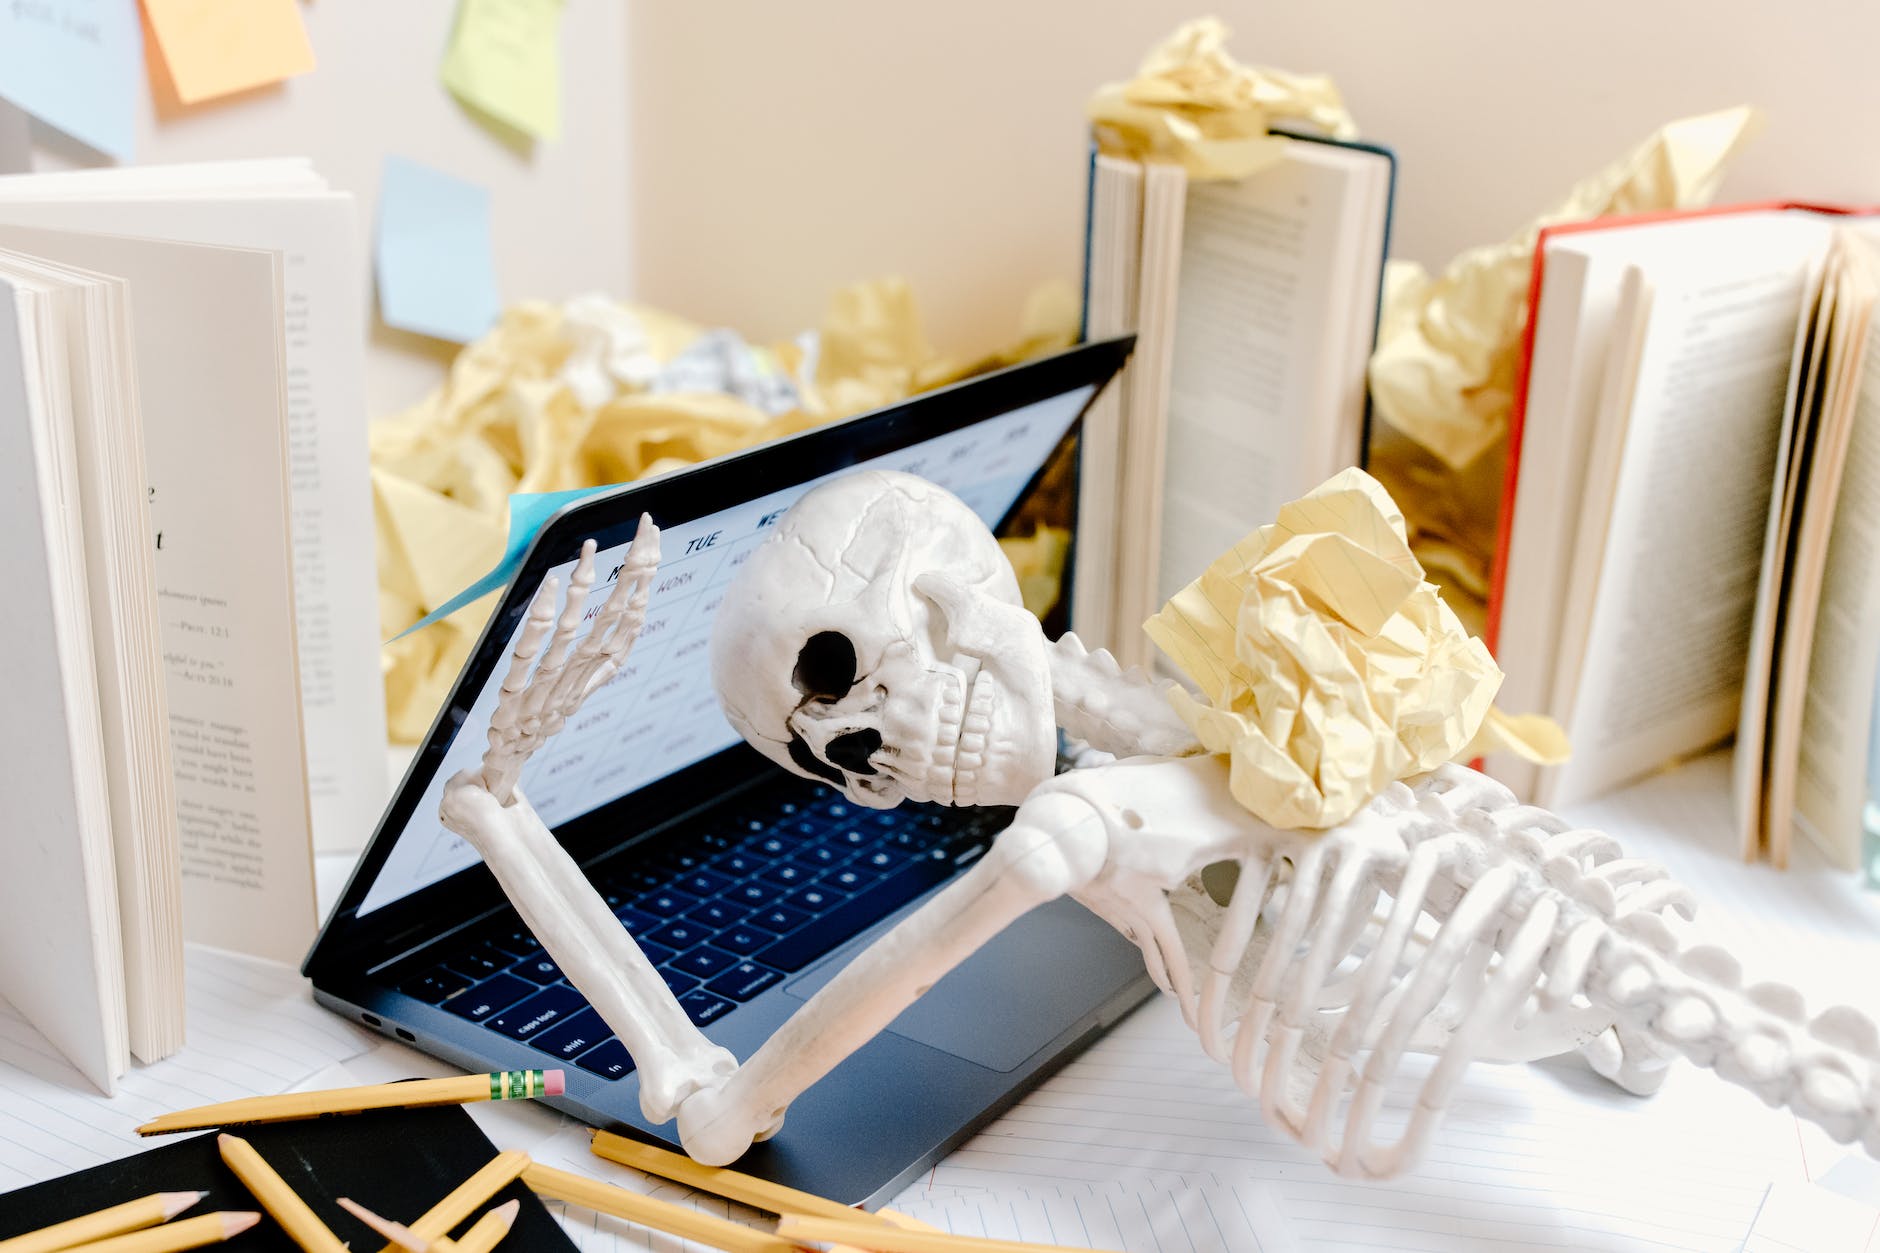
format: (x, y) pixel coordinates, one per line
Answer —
(1670, 501)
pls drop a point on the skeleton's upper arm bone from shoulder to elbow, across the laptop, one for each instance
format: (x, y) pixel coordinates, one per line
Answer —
(1054, 848)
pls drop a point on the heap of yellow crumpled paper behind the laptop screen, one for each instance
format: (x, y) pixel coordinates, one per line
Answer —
(569, 396)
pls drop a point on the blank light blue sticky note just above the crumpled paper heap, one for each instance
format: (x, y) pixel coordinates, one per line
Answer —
(435, 268)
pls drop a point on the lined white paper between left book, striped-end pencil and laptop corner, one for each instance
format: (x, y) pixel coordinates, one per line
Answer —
(253, 1030)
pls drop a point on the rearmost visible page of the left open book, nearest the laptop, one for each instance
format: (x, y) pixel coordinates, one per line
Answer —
(334, 547)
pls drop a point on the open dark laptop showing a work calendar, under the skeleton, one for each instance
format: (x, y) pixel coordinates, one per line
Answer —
(745, 885)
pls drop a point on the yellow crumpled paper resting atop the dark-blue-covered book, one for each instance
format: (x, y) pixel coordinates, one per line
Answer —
(1193, 104)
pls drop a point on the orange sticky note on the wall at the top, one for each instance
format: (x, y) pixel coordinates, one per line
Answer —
(217, 48)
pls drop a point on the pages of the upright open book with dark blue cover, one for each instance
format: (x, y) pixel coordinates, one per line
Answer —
(1255, 308)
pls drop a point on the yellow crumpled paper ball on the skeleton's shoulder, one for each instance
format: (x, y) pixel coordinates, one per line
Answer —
(1330, 667)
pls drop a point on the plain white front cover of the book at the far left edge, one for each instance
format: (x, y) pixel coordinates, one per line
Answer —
(59, 910)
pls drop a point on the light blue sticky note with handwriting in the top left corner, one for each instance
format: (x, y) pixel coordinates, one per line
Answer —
(76, 65)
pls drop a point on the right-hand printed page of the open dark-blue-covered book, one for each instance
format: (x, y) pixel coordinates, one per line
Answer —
(1259, 377)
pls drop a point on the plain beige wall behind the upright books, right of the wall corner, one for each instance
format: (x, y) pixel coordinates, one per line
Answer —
(785, 148)
